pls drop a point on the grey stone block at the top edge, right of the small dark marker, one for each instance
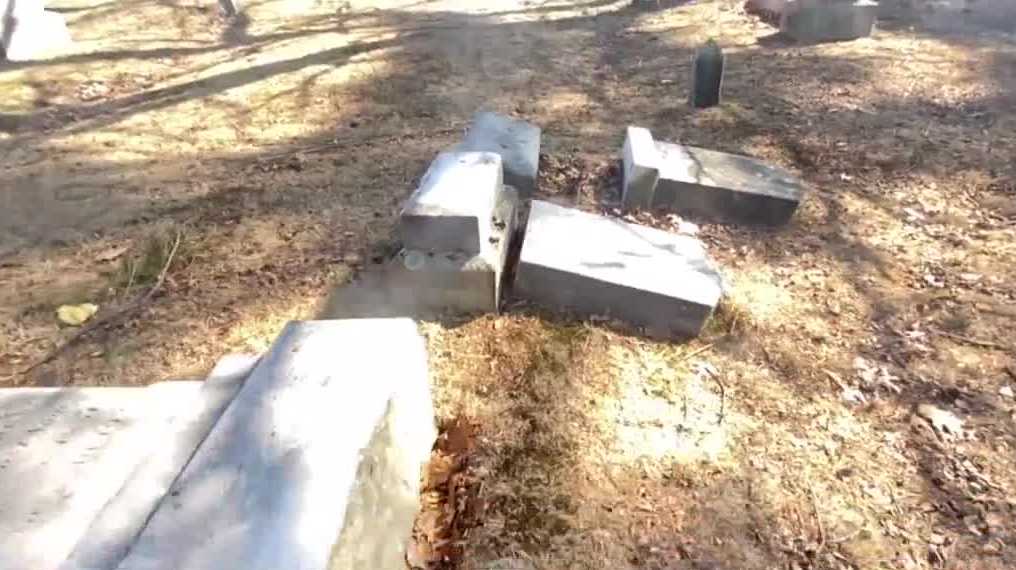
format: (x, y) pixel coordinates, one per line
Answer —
(829, 21)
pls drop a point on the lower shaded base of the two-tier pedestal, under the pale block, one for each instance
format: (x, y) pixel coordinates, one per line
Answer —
(431, 285)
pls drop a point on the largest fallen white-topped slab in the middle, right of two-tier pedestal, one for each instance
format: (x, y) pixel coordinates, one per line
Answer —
(597, 266)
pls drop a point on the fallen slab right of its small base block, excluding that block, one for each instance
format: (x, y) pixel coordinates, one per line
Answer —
(724, 187)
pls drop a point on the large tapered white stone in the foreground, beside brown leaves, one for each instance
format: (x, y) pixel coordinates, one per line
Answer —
(315, 465)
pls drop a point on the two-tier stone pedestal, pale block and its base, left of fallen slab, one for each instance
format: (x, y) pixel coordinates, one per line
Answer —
(456, 229)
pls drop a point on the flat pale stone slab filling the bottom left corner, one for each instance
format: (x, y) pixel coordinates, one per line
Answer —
(66, 453)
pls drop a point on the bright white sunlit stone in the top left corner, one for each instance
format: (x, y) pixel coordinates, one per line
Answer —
(29, 32)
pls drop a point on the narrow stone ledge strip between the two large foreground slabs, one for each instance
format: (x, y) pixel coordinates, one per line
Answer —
(110, 536)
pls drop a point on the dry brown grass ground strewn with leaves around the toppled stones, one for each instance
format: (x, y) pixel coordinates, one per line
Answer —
(241, 170)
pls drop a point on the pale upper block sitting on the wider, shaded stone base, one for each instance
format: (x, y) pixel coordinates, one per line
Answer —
(453, 209)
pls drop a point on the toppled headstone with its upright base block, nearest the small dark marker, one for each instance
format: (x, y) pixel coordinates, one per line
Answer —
(706, 183)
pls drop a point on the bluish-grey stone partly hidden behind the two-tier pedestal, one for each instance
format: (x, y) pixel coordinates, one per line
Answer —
(517, 142)
